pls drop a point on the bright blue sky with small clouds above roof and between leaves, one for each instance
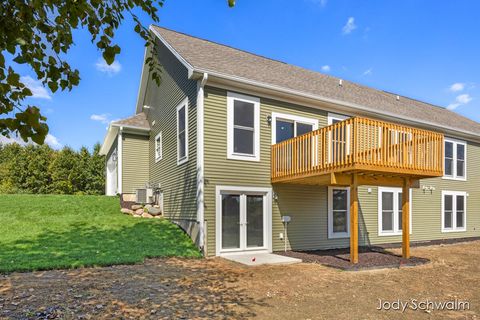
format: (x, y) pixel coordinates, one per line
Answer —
(428, 50)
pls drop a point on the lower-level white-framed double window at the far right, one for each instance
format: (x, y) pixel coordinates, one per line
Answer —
(454, 211)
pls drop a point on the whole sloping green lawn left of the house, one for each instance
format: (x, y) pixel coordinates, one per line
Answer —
(40, 232)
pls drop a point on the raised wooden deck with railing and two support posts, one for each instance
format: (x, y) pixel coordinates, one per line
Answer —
(361, 151)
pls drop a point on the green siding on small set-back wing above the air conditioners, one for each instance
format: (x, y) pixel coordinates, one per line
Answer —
(135, 162)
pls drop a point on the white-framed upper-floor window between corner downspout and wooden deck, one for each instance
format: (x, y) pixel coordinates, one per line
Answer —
(243, 127)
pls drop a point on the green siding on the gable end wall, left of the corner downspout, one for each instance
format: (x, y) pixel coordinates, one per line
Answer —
(178, 182)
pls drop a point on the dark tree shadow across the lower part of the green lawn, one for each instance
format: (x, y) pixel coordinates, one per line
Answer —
(90, 245)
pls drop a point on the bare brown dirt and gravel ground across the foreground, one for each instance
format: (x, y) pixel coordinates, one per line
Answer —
(217, 289)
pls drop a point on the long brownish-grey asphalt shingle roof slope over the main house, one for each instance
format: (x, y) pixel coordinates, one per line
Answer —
(211, 56)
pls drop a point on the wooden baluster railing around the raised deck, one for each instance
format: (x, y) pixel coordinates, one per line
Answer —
(359, 144)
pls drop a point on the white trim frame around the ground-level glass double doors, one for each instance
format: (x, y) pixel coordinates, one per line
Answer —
(219, 190)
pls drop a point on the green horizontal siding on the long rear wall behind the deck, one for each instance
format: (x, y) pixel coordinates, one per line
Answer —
(307, 205)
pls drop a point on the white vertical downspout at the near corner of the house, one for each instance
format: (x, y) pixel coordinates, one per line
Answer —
(200, 163)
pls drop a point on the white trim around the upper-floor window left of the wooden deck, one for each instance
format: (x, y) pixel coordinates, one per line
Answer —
(231, 97)
